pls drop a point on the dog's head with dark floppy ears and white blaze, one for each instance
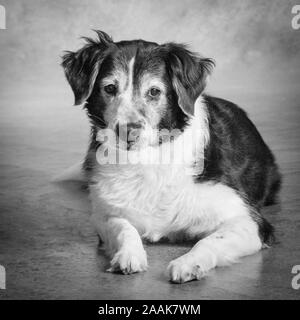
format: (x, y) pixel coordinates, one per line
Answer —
(137, 85)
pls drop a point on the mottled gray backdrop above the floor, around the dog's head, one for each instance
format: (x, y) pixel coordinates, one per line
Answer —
(253, 42)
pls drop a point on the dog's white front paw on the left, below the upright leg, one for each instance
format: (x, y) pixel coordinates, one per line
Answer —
(129, 261)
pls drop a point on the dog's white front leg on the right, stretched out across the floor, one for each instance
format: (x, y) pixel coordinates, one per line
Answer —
(235, 238)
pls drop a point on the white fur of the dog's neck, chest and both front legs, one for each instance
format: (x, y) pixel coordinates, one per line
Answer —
(131, 202)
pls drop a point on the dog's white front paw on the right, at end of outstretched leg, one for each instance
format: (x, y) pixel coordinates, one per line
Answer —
(182, 270)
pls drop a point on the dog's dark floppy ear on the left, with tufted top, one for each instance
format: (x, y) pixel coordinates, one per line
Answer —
(81, 67)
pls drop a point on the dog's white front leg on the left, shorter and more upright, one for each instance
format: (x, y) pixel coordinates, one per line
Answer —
(123, 244)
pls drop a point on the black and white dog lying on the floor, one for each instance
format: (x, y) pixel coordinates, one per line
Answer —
(145, 87)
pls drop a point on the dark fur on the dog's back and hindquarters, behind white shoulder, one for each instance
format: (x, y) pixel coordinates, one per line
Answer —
(238, 157)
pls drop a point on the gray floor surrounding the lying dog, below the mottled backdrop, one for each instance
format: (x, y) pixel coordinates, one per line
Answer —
(49, 247)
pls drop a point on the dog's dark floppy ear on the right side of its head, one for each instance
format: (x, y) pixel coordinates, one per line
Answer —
(188, 72)
